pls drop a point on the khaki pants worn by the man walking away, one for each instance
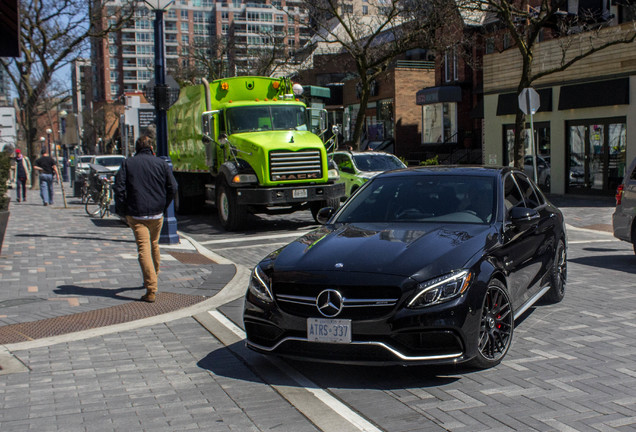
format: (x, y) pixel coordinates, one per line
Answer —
(147, 237)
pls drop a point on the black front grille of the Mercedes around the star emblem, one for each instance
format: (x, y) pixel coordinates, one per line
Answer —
(359, 302)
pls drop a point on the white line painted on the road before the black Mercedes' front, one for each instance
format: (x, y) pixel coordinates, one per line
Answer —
(332, 402)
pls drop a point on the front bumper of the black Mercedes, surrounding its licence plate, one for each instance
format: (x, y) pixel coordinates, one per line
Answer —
(440, 334)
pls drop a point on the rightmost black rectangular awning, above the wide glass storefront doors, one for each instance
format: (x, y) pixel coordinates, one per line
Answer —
(599, 93)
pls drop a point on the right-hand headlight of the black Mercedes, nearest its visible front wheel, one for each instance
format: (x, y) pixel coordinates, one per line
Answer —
(441, 289)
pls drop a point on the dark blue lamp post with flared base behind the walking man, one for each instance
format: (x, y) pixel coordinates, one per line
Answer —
(169, 230)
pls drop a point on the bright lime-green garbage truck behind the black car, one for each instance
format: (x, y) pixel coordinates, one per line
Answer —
(245, 144)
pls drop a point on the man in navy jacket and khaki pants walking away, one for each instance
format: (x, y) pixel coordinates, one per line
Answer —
(144, 188)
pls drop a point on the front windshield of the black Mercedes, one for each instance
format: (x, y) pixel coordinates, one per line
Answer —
(423, 198)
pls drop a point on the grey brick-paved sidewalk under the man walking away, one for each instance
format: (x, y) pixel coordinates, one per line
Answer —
(58, 261)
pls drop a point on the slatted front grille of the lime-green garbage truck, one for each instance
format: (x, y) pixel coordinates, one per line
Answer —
(300, 165)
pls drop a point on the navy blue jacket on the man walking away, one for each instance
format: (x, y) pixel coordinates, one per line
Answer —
(144, 185)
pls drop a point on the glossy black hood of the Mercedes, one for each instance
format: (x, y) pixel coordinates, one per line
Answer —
(423, 250)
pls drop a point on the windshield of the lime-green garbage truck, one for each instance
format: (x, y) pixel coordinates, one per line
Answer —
(267, 117)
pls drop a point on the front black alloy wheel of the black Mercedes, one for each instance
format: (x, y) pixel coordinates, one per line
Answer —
(496, 327)
